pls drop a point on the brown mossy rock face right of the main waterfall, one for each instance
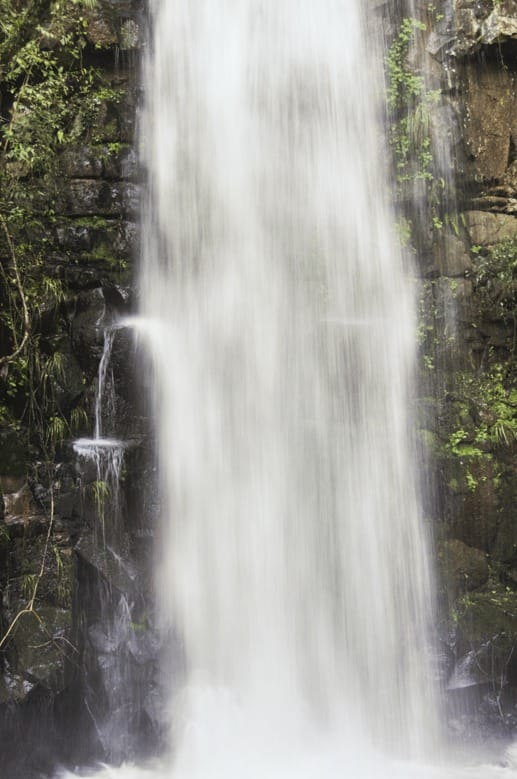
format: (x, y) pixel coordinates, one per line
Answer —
(466, 250)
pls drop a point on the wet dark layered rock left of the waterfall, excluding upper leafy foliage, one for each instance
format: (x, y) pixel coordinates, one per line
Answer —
(61, 591)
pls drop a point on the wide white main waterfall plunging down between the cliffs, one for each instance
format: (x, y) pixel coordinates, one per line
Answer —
(279, 316)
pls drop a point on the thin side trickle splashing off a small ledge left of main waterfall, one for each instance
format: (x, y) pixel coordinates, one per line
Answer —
(116, 643)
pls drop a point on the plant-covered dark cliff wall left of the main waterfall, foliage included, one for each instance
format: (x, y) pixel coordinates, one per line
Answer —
(69, 237)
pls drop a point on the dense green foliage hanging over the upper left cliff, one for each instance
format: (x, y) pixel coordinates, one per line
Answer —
(50, 99)
